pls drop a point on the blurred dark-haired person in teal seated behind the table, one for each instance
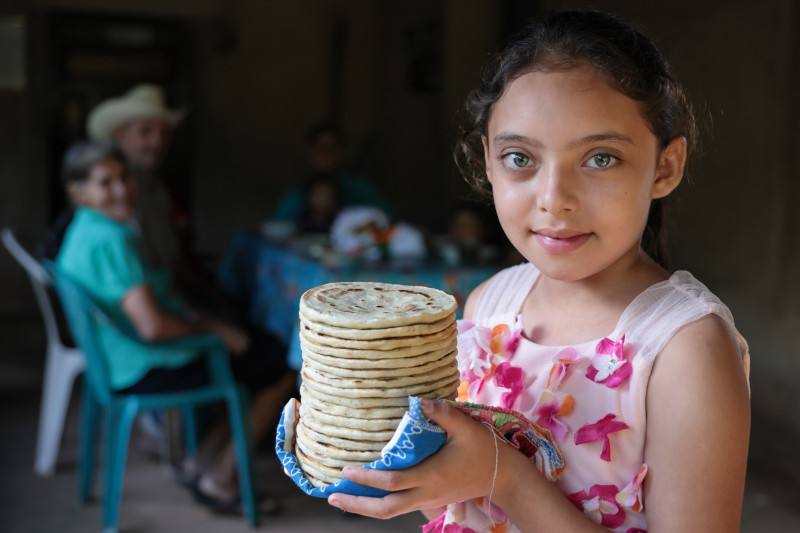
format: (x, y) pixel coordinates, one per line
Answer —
(325, 151)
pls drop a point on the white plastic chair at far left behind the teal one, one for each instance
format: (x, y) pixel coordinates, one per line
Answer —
(62, 366)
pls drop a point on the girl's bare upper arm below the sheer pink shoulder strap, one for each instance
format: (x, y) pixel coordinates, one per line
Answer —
(698, 427)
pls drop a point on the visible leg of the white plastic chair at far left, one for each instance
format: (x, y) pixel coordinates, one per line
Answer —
(60, 371)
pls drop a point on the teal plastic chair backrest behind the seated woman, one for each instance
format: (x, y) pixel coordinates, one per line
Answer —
(83, 317)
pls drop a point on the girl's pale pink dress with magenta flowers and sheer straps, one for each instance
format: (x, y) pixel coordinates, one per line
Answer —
(591, 396)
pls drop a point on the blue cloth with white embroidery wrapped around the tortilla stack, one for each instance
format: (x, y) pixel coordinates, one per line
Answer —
(413, 441)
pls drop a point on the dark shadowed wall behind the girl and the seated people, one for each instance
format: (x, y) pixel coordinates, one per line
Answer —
(264, 73)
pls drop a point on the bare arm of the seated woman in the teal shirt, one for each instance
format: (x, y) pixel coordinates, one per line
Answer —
(152, 323)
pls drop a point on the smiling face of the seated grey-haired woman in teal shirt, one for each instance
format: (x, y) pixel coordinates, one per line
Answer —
(108, 188)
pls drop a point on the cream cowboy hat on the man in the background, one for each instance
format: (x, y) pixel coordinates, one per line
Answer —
(142, 101)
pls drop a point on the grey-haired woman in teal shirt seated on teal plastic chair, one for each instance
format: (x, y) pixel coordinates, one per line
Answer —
(102, 253)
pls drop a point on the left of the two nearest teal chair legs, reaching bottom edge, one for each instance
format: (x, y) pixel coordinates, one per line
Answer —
(119, 419)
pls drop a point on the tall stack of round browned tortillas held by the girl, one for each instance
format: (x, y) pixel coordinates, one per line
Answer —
(366, 348)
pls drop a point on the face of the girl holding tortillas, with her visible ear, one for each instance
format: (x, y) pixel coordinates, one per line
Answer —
(574, 167)
